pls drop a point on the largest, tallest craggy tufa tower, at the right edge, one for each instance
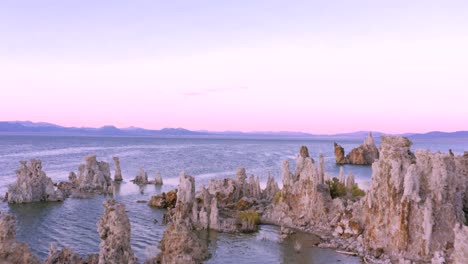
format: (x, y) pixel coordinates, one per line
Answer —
(415, 202)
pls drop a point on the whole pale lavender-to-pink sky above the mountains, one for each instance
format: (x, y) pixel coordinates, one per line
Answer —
(312, 66)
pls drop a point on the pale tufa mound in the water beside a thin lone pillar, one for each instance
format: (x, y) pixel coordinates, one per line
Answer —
(94, 177)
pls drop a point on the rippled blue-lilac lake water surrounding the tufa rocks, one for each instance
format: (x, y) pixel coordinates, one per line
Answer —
(72, 223)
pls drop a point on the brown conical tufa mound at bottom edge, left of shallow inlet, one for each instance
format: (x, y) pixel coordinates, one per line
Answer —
(180, 245)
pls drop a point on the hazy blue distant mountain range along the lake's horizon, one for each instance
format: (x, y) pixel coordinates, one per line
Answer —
(41, 128)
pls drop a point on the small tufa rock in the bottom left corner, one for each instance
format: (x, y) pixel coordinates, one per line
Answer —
(12, 251)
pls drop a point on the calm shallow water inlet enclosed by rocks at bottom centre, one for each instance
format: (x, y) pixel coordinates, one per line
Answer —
(266, 247)
